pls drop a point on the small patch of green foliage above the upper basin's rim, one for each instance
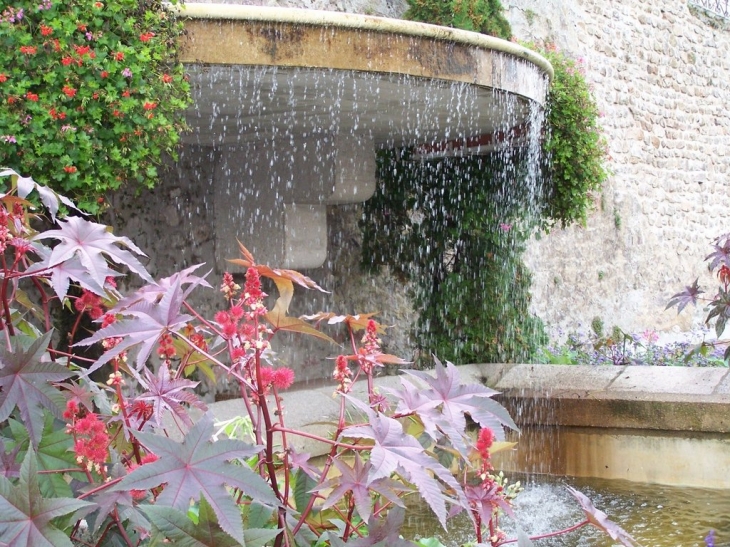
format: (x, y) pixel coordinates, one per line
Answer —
(483, 16)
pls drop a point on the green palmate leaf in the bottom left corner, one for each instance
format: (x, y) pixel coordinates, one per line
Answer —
(25, 516)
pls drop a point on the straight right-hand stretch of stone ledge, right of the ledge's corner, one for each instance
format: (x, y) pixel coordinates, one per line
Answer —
(632, 397)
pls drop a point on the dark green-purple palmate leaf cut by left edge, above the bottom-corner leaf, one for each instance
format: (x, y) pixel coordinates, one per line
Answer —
(24, 380)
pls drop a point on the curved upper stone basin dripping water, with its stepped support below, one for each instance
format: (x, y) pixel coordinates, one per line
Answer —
(296, 102)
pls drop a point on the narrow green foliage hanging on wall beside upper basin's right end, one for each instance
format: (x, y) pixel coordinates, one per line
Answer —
(574, 149)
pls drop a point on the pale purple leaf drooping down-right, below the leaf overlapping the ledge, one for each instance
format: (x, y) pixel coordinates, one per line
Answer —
(396, 451)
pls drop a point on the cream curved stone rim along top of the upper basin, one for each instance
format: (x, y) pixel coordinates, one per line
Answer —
(361, 22)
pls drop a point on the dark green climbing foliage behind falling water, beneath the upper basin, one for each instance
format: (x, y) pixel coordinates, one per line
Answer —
(452, 228)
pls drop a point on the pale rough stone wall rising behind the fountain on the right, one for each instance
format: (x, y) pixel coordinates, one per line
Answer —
(661, 76)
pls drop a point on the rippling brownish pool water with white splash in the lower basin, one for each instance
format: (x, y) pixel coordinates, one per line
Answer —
(655, 515)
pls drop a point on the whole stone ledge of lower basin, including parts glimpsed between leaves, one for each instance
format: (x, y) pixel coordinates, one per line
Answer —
(548, 395)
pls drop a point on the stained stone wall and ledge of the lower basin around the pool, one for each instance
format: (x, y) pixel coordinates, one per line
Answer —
(662, 425)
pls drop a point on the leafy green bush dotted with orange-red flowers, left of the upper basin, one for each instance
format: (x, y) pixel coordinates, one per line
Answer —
(91, 93)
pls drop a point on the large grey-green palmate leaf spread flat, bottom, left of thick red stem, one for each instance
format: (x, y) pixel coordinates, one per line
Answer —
(198, 468)
